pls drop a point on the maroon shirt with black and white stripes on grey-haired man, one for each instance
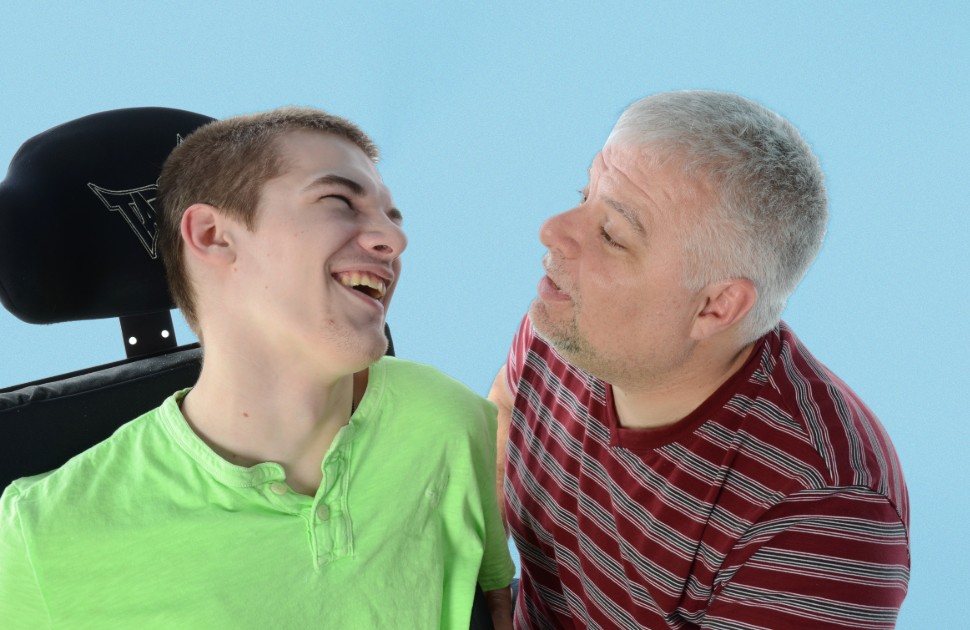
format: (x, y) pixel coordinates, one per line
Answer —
(778, 503)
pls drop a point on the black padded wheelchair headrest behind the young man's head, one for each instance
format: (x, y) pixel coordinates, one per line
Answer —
(77, 220)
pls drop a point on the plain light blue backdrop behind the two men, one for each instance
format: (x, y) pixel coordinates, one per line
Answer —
(488, 115)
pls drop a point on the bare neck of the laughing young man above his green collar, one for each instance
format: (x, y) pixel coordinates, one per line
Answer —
(249, 416)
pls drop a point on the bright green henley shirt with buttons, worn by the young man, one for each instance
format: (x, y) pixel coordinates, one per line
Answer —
(152, 529)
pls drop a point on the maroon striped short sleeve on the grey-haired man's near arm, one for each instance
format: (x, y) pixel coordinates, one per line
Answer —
(831, 558)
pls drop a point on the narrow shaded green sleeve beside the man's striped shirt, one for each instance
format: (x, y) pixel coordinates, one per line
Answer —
(497, 567)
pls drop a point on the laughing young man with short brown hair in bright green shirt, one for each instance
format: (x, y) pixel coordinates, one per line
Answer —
(305, 481)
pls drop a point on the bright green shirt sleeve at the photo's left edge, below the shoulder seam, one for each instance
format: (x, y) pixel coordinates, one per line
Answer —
(21, 600)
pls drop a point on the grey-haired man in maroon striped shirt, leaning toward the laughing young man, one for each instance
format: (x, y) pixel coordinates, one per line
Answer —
(676, 458)
